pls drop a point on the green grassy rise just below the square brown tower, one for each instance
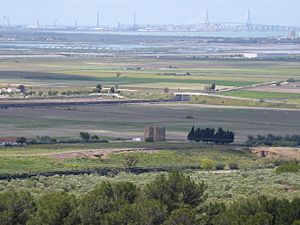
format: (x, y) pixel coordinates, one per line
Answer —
(172, 155)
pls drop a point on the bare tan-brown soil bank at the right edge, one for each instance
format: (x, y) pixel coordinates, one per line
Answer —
(277, 152)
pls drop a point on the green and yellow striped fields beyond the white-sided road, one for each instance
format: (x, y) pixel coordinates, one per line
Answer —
(140, 71)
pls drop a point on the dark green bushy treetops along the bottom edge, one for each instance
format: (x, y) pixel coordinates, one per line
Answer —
(173, 199)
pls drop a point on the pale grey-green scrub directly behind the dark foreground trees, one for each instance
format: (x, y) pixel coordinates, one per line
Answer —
(221, 185)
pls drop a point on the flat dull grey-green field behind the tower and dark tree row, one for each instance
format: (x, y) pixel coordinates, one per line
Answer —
(128, 121)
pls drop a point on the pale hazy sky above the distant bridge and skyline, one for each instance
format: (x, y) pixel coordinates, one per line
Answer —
(283, 12)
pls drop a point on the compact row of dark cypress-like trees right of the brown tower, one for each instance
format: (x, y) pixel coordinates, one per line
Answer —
(210, 135)
